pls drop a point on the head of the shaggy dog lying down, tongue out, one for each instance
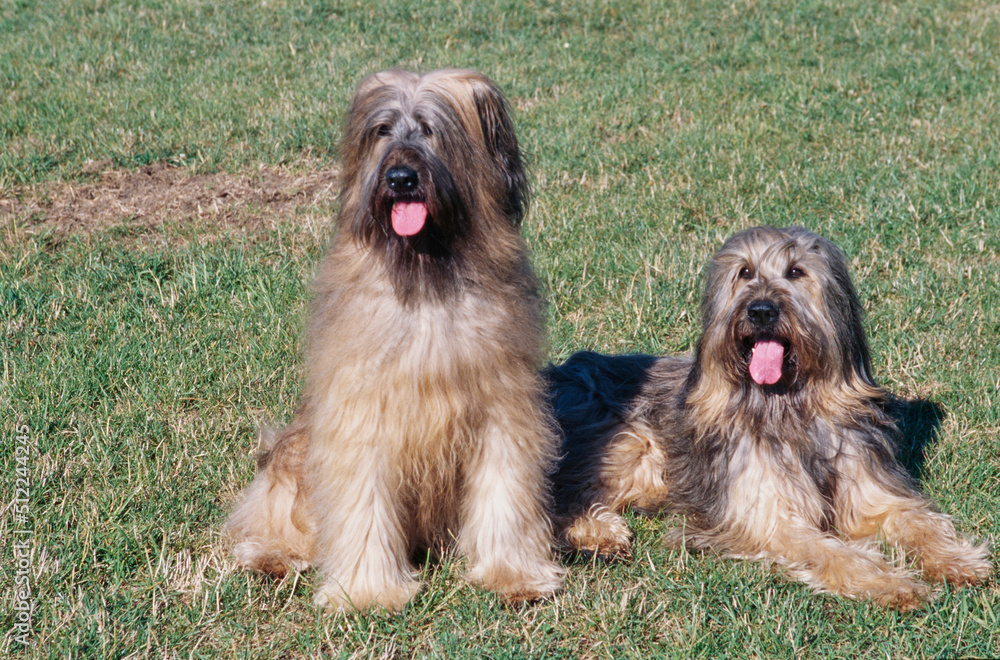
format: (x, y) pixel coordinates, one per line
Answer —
(780, 311)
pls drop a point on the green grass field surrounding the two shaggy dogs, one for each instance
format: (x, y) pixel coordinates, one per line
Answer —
(167, 178)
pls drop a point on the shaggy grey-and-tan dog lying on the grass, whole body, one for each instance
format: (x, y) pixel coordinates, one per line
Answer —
(773, 441)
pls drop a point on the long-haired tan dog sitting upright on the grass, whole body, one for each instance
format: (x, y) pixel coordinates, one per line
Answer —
(423, 423)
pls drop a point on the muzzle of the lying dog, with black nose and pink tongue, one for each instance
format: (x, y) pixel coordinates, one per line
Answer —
(763, 344)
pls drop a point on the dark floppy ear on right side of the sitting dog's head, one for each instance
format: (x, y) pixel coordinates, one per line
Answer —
(501, 141)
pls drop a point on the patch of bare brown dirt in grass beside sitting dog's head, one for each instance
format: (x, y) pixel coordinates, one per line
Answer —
(163, 195)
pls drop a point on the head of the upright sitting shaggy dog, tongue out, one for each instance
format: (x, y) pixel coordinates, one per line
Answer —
(424, 155)
